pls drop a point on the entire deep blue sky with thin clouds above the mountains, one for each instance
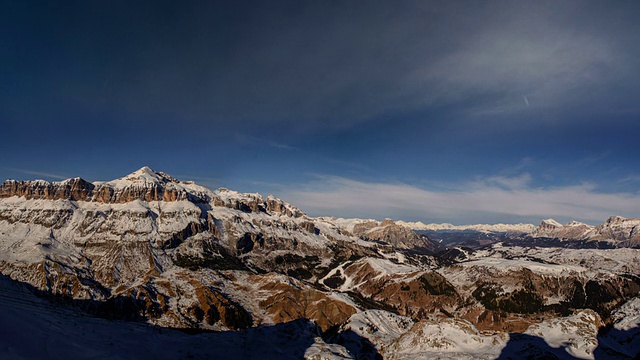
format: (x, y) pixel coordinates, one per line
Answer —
(433, 111)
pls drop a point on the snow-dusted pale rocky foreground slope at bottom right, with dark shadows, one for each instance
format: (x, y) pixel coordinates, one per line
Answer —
(576, 336)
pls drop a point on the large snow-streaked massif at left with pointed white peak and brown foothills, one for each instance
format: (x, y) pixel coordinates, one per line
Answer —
(174, 252)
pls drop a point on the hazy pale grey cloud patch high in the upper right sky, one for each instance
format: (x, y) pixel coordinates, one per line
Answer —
(546, 60)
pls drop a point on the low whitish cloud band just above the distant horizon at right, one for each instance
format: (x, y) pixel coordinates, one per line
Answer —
(480, 201)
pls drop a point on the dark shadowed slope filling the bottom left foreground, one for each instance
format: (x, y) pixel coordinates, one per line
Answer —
(37, 328)
